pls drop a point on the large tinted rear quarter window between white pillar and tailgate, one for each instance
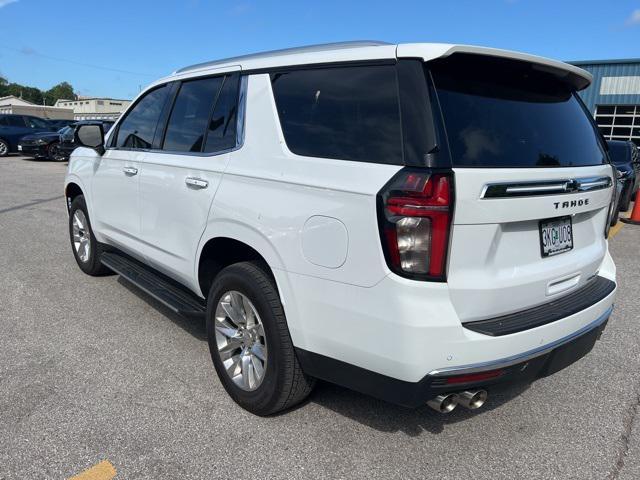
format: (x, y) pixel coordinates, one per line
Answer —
(349, 113)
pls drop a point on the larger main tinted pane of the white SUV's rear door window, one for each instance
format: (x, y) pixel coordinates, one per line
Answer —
(190, 114)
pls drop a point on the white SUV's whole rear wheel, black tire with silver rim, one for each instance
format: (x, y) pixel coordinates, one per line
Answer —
(250, 343)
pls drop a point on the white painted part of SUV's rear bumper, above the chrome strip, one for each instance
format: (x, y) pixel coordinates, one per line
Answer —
(406, 329)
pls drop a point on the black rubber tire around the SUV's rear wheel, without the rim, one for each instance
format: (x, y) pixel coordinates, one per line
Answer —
(284, 384)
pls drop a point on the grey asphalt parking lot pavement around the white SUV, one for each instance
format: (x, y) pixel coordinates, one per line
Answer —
(93, 370)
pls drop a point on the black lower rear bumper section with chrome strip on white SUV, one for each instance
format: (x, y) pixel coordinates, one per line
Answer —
(523, 367)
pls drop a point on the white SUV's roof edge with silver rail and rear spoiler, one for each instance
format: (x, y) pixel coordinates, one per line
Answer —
(372, 50)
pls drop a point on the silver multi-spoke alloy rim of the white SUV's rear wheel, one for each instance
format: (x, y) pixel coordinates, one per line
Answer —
(240, 340)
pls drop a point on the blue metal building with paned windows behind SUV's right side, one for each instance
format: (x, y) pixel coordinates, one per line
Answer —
(614, 97)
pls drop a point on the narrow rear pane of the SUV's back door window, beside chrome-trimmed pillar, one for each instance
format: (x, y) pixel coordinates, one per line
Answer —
(221, 134)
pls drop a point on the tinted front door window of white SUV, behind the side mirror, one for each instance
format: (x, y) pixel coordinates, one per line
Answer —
(139, 126)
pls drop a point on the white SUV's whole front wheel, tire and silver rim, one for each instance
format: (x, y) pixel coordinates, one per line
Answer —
(85, 247)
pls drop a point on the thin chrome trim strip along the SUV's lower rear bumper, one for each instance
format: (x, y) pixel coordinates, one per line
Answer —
(521, 357)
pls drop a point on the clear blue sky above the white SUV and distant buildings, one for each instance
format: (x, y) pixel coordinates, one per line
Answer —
(112, 47)
